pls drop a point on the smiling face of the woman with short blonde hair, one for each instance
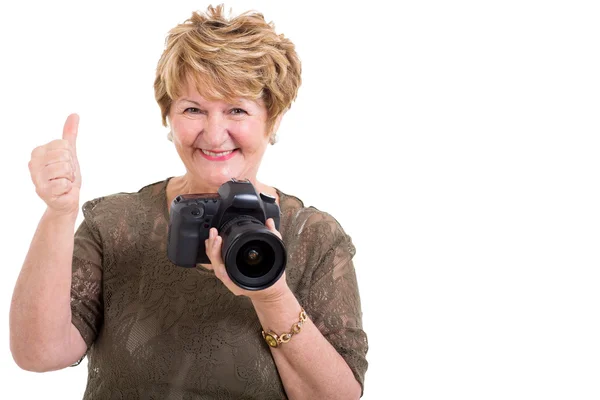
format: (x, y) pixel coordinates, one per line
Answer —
(217, 140)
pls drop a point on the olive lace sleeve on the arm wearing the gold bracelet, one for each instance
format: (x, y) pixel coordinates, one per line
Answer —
(333, 301)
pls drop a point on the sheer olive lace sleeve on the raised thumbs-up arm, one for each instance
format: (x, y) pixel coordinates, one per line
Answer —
(86, 281)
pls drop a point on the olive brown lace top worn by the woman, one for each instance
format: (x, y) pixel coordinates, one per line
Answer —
(158, 331)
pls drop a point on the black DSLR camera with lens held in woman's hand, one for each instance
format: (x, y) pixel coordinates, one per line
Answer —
(254, 257)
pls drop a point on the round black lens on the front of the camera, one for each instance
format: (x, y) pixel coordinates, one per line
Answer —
(254, 257)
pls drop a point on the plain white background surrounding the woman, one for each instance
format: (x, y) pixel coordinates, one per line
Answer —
(456, 142)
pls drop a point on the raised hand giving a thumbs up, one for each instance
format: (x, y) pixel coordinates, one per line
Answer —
(55, 171)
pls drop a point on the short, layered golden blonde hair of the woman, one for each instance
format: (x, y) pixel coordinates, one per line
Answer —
(228, 59)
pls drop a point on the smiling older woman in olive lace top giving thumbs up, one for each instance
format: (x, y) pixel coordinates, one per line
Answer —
(154, 330)
